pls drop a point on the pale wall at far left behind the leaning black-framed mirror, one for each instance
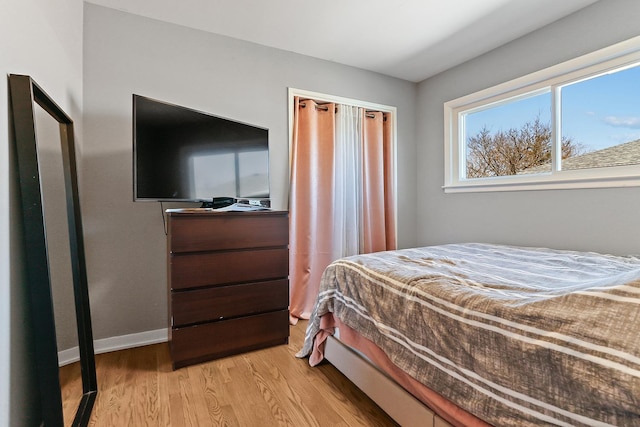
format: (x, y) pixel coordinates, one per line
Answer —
(43, 39)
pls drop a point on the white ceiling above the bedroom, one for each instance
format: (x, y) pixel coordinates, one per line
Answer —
(408, 39)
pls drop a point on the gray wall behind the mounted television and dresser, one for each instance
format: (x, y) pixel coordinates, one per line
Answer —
(126, 54)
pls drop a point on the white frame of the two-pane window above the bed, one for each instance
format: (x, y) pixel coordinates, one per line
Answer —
(552, 78)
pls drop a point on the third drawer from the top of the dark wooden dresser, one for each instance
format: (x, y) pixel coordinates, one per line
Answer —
(221, 302)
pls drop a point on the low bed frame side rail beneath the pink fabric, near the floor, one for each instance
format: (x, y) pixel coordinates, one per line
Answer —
(399, 404)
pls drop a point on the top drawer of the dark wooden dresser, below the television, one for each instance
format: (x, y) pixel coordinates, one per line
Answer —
(224, 231)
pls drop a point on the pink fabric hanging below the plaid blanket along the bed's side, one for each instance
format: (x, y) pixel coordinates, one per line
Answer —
(447, 410)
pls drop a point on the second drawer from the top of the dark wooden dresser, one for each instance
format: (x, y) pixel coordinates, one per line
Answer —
(217, 268)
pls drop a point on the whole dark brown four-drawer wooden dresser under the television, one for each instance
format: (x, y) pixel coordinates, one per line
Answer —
(228, 283)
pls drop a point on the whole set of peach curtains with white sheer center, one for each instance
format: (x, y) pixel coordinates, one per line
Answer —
(321, 211)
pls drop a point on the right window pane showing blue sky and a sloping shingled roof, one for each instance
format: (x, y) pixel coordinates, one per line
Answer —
(601, 116)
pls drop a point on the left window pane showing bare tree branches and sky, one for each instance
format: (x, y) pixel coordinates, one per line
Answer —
(511, 138)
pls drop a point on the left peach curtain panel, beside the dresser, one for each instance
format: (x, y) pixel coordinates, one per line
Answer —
(311, 203)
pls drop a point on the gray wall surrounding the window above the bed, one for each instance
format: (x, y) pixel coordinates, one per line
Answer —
(603, 220)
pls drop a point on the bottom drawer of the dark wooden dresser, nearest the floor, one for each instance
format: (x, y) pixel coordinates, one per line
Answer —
(208, 341)
